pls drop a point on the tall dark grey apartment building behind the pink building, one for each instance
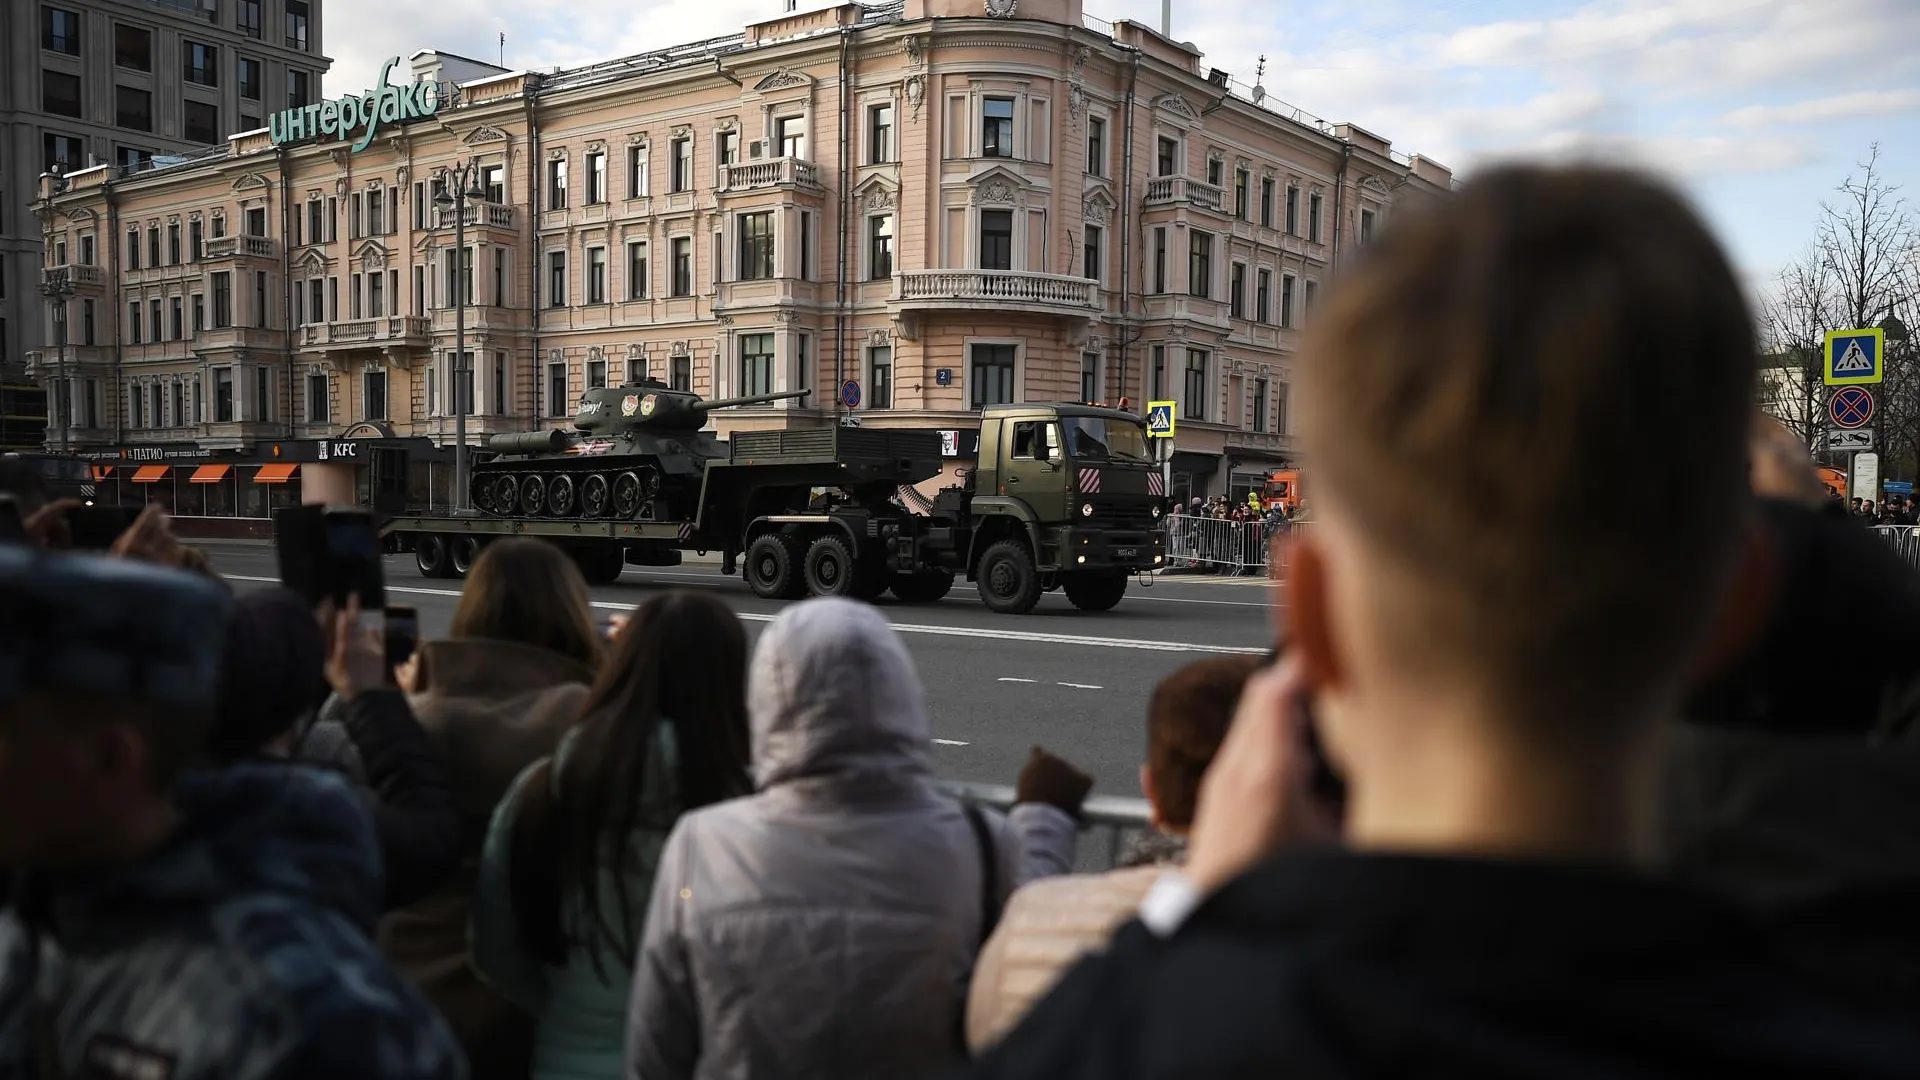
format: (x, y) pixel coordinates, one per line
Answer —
(128, 84)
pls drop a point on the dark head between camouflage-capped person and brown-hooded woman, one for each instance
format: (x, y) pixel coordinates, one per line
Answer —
(276, 674)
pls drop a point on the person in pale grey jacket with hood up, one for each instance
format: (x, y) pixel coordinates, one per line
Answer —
(828, 925)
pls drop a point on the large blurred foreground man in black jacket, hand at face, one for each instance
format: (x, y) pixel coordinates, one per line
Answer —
(1495, 679)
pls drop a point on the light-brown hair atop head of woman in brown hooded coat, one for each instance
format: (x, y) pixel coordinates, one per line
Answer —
(529, 593)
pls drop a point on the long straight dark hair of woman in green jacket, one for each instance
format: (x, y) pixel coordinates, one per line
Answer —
(681, 664)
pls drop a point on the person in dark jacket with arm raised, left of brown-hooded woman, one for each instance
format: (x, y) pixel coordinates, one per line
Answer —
(281, 660)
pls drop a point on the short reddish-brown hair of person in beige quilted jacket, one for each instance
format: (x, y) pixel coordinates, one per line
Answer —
(1186, 722)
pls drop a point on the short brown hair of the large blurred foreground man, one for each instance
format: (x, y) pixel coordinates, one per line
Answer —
(1570, 351)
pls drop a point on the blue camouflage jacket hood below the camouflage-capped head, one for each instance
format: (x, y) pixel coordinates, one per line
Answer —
(260, 829)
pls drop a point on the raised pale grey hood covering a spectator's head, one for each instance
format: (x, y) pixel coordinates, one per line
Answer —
(832, 691)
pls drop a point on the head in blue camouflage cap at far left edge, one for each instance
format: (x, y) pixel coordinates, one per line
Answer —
(108, 683)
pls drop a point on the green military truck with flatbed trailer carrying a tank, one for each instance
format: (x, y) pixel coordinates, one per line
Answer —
(1063, 497)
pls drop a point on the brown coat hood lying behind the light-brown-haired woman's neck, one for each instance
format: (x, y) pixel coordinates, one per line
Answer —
(492, 710)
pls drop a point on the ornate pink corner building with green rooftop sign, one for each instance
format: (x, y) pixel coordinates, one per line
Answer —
(911, 210)
